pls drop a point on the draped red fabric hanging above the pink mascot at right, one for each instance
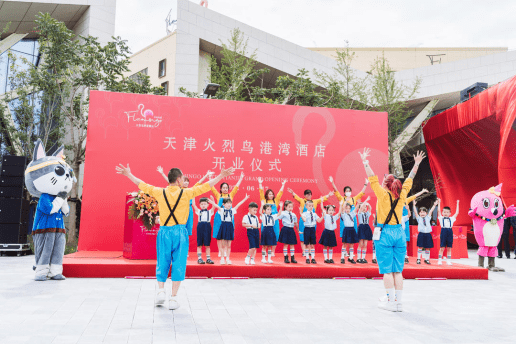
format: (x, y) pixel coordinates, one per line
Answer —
(472, 147)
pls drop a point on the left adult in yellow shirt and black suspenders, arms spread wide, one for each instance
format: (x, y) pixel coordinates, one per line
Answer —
(172, 240)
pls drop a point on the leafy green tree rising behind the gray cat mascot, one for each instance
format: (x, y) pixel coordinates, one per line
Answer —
(69, 70)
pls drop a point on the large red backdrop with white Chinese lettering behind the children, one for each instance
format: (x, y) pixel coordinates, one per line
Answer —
(306, 145)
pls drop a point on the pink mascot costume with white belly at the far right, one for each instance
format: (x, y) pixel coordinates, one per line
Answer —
(487, 212)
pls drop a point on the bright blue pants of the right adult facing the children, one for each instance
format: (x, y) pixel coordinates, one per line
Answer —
(391, 249)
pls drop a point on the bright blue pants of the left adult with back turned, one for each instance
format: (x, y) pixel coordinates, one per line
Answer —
(171, 246)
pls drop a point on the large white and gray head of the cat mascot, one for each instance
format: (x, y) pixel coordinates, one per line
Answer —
(48, 174)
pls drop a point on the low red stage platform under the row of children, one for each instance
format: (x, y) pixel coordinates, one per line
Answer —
(111, 264)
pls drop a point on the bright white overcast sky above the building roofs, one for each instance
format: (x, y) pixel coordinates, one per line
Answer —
(330, 23)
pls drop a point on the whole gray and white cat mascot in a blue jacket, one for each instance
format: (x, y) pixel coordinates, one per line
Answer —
(51, 179)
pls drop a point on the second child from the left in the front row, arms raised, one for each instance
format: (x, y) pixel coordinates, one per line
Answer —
(226, 232)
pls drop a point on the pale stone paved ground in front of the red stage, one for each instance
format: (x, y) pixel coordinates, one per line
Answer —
(253, 311)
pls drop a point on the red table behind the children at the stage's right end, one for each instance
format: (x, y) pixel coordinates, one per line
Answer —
(460, 245)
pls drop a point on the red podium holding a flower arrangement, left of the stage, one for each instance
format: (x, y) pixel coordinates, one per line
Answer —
(139, 243)
